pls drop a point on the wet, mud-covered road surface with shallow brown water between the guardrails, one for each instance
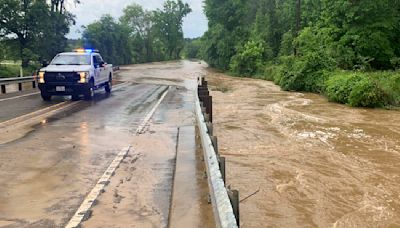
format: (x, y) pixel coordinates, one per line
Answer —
(51, 159)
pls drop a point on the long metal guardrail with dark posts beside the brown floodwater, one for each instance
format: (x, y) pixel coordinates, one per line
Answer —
(225, 202)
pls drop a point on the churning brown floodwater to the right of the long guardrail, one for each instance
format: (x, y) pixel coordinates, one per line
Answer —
(306, 162)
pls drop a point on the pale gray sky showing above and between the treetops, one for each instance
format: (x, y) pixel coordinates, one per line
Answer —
(195, 24)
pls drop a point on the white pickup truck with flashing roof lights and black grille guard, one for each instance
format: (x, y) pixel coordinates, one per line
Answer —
(75, 73)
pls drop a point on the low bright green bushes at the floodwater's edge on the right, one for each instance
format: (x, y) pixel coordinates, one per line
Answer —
(354, 88)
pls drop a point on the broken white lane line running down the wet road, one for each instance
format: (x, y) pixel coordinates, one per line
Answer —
(83, 213)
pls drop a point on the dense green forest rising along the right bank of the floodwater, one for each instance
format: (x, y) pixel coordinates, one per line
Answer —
(348, 50)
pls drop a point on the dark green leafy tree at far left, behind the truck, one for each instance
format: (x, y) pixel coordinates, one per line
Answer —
(38, 26)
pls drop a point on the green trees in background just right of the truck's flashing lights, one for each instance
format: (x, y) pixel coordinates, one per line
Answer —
(140, 35)
